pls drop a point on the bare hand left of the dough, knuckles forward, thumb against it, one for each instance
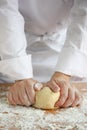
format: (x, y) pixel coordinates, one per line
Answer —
(23, 92)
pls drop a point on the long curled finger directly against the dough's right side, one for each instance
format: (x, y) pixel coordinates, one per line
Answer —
(63, 93)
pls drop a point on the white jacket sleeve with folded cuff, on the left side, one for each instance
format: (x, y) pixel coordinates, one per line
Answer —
(14, 61)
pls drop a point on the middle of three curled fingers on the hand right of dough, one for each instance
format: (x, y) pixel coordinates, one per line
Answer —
(71, 97)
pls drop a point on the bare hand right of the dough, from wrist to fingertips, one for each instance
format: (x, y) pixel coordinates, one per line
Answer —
(69, 95)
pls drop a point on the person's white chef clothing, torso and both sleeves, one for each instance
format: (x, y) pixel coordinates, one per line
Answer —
(53, 32)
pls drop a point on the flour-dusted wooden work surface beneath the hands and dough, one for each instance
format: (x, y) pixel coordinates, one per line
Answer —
(28, 118)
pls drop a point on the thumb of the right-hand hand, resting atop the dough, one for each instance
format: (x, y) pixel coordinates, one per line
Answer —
(53, 86)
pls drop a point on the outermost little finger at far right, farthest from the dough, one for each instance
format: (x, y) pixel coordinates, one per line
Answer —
(78, 99)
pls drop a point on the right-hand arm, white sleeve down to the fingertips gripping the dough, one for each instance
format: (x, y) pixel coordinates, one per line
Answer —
(73, 58)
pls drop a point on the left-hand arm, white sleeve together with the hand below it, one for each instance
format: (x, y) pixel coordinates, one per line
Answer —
(15, 64)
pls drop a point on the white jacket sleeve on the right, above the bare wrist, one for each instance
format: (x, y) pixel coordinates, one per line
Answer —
(73, 57)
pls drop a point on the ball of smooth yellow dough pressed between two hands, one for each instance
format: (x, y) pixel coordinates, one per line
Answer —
(46, 98)
